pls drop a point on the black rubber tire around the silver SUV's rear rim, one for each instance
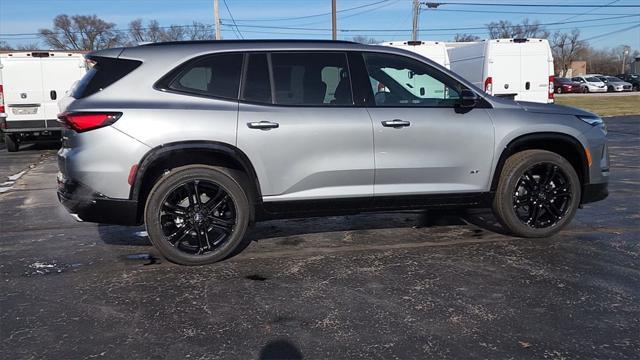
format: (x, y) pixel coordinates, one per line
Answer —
(168, 183)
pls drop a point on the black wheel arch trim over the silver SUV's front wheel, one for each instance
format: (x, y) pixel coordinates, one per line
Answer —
(522, 140)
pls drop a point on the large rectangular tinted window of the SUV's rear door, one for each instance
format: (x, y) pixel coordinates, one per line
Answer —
(314, 79)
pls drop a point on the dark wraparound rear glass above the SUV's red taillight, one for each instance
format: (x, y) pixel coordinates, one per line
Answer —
(104, 72)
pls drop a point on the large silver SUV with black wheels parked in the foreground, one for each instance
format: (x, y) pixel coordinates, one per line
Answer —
(197, 140)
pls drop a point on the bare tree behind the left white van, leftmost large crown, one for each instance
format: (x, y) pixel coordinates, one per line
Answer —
(80, 32)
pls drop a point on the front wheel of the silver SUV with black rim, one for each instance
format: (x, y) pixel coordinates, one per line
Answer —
(537, 195)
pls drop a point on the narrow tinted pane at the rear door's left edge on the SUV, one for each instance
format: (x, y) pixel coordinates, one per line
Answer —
(257, 86)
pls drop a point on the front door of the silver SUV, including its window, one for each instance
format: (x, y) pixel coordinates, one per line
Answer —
(424, 143)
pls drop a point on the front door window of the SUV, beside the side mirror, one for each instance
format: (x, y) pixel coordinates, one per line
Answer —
(401, 81)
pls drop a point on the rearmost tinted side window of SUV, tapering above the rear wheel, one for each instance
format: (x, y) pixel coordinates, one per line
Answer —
(217, 75)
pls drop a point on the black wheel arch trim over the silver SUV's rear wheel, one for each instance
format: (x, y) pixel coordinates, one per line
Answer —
(222, 148)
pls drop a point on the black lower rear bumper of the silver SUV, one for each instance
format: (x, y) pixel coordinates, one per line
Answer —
(91, 206)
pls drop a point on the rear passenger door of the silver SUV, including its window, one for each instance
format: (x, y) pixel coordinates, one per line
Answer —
(299, 127)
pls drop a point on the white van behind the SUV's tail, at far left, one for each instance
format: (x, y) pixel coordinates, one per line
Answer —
(30, 85)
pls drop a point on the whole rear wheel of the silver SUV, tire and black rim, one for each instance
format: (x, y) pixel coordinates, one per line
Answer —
(198, 214)
